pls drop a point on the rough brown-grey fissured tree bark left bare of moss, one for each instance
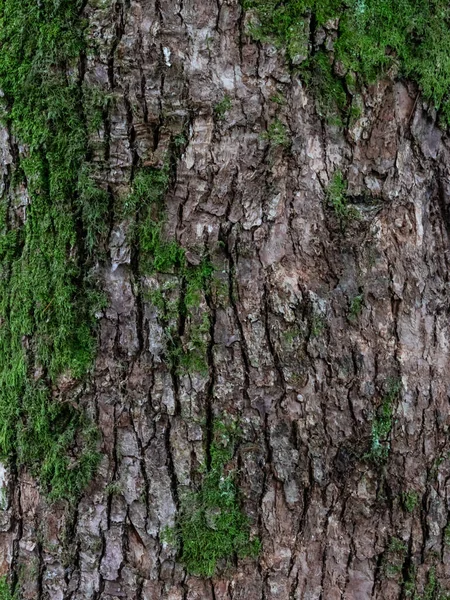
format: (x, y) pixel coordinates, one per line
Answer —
(304, 375)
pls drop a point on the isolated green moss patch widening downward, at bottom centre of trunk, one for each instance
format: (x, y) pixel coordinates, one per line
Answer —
(211, 525)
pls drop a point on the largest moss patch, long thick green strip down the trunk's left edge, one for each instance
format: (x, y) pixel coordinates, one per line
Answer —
(47, 304)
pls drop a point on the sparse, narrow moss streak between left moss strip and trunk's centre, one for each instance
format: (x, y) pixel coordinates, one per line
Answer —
(186, 330)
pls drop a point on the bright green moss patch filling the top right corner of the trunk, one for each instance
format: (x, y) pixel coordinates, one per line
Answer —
(413, 36)
